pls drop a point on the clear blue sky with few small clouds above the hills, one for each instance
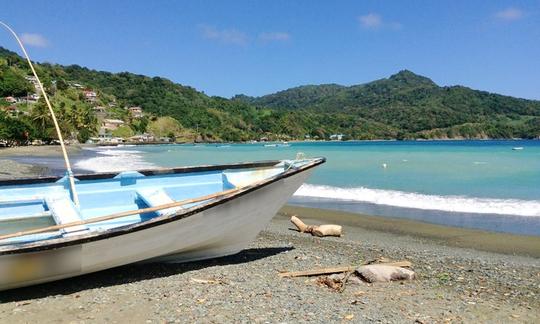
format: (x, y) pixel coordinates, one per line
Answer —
(259, 47)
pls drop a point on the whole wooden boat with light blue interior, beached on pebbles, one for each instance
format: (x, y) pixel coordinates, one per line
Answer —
(172, 215)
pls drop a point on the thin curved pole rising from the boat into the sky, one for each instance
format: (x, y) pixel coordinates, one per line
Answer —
(58, 132)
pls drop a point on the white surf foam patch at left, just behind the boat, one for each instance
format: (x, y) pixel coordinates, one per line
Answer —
(113, 159)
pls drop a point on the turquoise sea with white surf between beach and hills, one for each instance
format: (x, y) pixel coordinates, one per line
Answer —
(492, 185)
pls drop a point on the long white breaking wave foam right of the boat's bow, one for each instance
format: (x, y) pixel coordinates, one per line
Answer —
(422, 201)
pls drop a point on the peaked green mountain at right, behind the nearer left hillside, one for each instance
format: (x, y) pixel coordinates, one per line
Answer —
(414, 106)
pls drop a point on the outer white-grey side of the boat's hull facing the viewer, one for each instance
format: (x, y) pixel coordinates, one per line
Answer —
(221, 230)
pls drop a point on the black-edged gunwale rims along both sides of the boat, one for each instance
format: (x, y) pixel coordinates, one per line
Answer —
(56, 243)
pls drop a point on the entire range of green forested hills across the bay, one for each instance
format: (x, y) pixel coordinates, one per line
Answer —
(404, 105)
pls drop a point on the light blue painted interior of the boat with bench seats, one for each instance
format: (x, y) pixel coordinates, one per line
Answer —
(30, 206)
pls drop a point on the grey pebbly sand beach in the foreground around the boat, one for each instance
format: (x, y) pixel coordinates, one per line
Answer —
(455, 283)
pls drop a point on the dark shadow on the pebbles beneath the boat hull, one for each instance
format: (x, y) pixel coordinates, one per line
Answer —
(132, 273)
